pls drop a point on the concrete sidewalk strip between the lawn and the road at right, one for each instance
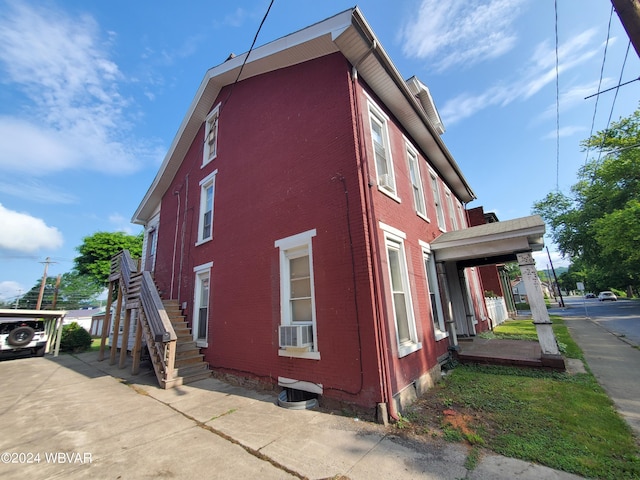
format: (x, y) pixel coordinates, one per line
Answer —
(614, 363)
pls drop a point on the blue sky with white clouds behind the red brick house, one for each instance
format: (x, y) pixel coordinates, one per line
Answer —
(93, 92)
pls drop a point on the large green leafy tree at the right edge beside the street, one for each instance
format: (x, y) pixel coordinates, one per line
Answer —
(598, 223)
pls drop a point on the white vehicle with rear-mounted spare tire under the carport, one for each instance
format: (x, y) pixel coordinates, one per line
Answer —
(19, 335)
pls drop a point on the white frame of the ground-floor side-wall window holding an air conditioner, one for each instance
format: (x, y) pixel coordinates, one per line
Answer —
(290, 248)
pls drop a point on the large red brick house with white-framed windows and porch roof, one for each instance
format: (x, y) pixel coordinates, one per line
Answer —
(310, 224)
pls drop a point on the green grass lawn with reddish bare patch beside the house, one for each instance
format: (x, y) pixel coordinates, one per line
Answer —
(556, 419)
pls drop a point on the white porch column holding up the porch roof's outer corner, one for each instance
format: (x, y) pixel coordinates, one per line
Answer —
(546, 337)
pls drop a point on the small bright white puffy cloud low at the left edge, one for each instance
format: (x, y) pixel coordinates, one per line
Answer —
(22, 232)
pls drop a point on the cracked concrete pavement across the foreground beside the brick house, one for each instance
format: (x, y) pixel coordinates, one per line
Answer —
(74, 417)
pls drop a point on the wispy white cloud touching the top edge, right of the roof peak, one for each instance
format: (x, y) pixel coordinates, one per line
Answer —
(459, 33)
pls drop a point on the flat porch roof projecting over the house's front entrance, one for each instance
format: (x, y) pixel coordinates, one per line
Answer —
(490, 243)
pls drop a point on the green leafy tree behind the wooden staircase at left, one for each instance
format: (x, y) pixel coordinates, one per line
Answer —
(96, 252)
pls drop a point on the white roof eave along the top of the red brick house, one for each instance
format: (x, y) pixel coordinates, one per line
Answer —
(320, 39)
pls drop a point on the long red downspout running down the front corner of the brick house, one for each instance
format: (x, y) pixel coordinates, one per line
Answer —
(374, 246)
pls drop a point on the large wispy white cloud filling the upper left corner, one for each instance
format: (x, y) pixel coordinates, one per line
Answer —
(75, 116)
